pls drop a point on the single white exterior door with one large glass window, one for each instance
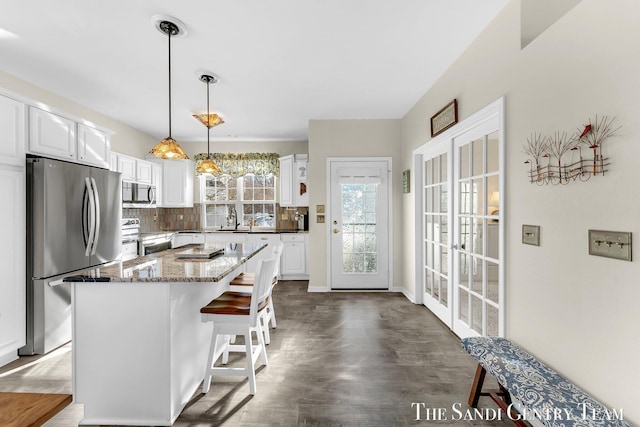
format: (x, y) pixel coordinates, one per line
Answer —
(359, 224)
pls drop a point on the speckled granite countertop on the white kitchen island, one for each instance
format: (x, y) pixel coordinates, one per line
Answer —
(166, 267)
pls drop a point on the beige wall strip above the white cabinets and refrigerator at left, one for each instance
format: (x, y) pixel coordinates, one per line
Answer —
(125, 140)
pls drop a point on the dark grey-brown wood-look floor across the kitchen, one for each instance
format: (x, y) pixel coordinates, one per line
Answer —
(336, 359)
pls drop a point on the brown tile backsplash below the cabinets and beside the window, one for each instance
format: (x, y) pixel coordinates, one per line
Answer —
(172, 219)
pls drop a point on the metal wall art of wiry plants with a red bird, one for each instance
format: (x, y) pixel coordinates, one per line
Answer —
(559, 159)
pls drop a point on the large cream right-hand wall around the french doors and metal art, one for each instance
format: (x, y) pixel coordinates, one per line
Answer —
(578, 313)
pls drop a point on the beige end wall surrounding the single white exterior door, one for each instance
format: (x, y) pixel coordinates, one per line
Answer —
(347, 138)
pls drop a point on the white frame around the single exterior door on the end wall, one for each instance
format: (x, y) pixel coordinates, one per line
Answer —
(328, 227)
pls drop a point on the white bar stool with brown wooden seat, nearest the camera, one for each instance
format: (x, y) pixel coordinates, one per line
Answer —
(236, 313)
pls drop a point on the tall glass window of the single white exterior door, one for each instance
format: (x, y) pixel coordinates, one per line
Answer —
(359, 228)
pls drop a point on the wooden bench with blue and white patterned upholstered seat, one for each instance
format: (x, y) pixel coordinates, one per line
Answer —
(544, 397)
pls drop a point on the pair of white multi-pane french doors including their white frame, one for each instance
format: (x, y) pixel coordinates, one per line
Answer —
(460, 273)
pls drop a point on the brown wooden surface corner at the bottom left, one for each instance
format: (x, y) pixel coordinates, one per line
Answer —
(30, 409)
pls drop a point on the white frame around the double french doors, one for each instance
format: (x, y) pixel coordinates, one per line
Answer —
(494, 110)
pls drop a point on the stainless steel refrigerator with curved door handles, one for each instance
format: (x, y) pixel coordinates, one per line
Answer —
(73, 223)
